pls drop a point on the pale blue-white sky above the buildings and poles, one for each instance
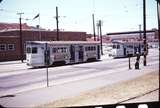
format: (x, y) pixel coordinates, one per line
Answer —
(76, 15)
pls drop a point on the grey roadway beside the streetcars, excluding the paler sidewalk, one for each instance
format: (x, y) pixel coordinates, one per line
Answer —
(58, 75)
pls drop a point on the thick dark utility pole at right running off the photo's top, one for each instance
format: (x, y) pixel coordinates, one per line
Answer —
(144, 33)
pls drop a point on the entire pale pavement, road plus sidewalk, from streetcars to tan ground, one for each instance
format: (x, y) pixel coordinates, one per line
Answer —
(68, 80)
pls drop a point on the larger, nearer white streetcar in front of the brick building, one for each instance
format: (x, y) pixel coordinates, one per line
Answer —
(60, 51)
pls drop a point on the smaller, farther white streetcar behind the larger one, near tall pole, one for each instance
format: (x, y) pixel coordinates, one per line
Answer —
(124, 48)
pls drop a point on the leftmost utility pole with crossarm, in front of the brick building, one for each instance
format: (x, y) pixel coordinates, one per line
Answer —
(20, 36)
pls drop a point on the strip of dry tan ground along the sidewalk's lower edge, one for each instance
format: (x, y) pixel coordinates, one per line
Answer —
(112, 94)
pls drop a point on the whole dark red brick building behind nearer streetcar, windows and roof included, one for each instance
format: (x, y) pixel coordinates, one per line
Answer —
(10, 39)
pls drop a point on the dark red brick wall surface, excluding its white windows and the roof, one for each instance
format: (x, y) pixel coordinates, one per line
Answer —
(12, 37)
